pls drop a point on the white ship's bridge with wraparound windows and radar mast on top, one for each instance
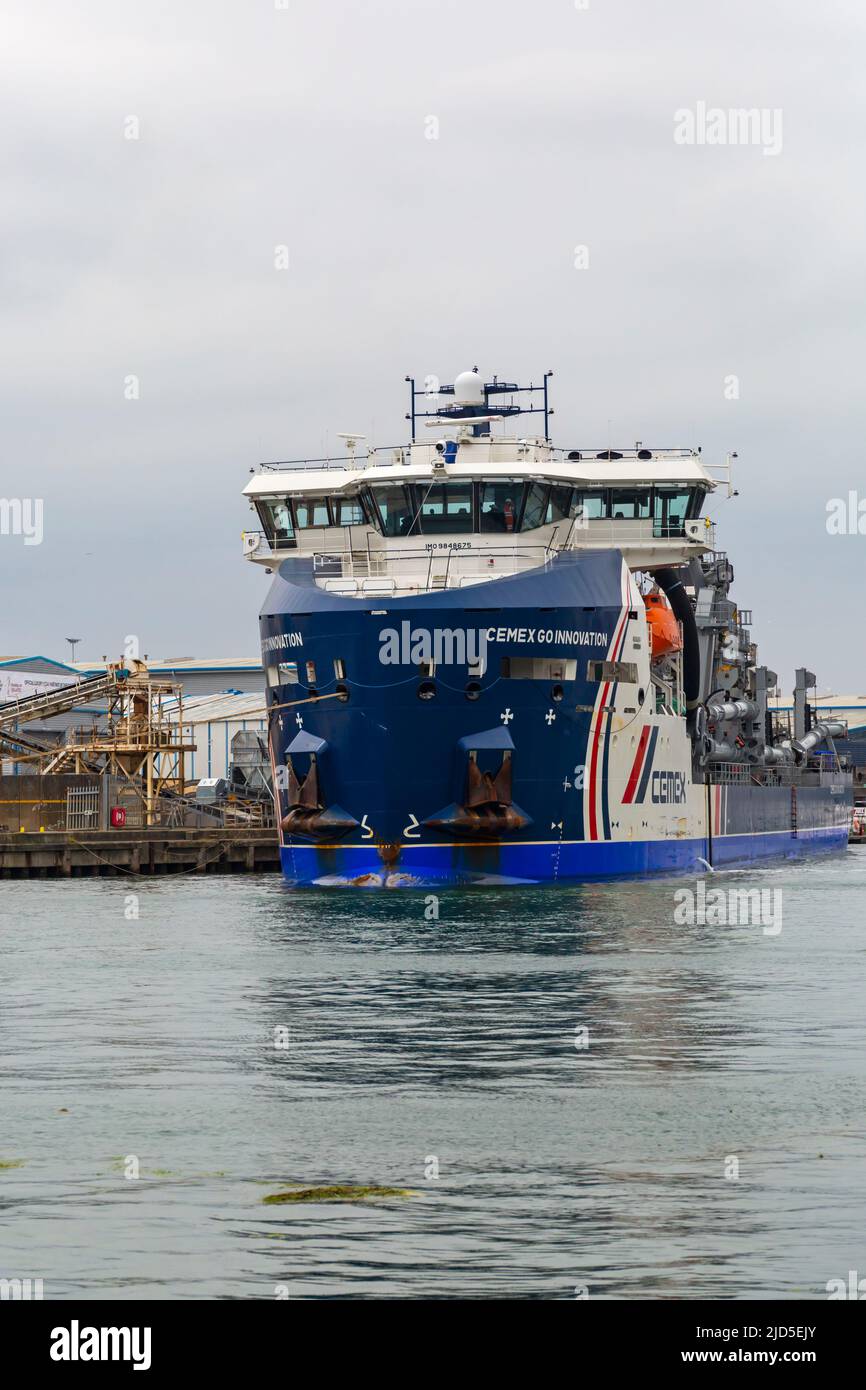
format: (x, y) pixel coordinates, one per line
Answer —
(472, 502)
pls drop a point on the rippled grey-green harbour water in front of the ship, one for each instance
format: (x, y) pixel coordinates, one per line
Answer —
(601, 1160)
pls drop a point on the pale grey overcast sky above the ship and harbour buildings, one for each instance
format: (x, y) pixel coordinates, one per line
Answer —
(308, 127)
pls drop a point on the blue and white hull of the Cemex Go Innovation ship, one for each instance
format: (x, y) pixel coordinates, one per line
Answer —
(391, 789)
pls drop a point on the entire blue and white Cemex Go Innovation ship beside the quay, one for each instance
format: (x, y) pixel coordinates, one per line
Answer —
(496, 661)
